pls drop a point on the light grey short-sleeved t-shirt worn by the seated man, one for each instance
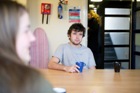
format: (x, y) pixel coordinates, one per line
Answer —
(69, 55)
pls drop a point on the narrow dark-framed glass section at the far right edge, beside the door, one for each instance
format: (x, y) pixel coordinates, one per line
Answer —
(135, 35)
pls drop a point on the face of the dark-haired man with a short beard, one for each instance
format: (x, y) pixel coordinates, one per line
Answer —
(76, 37)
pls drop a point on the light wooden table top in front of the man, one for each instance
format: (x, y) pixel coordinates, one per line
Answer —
(95, 81)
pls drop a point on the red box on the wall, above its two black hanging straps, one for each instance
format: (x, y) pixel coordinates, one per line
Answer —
(46, 8)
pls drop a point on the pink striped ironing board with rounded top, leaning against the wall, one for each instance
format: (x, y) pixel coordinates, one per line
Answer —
(39, 50)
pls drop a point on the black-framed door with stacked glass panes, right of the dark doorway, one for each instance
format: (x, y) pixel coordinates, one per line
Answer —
(115, 33)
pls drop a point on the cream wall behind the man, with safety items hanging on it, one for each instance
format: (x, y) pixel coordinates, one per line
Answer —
(56, 29)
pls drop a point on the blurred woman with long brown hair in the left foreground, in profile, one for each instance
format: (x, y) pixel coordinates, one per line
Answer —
(15, 39)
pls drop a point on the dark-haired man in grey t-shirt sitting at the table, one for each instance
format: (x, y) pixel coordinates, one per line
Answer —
(70, 53)
